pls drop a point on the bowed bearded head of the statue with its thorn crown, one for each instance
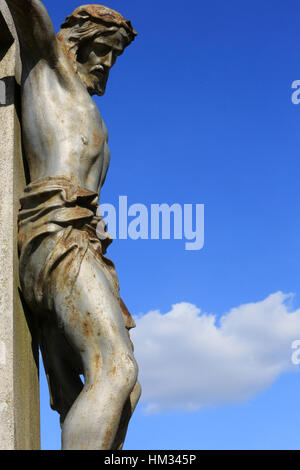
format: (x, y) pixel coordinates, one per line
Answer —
(94, 37)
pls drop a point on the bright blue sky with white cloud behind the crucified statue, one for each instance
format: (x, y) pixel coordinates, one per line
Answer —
(199, 111)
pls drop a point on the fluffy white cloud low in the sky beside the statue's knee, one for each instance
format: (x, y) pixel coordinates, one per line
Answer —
(188, 361)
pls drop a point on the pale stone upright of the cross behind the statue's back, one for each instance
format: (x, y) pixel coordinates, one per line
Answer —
(19, 379)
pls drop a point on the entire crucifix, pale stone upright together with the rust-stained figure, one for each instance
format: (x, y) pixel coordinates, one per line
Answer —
(77, 315)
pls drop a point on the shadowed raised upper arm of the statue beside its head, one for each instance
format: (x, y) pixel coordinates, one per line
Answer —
(35, 30)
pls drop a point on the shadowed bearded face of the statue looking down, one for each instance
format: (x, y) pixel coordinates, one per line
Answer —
(95, 59)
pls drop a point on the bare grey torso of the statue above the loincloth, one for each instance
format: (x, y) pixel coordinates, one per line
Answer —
(63, 132)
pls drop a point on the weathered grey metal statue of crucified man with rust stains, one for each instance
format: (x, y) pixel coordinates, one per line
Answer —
(67, 282)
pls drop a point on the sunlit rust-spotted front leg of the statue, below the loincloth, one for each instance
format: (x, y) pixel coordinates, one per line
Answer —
(92, 320)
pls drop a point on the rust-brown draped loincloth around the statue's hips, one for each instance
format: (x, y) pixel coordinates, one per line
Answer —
(57, 226)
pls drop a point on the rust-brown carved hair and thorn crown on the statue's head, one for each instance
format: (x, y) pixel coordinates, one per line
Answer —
(90, 21)
